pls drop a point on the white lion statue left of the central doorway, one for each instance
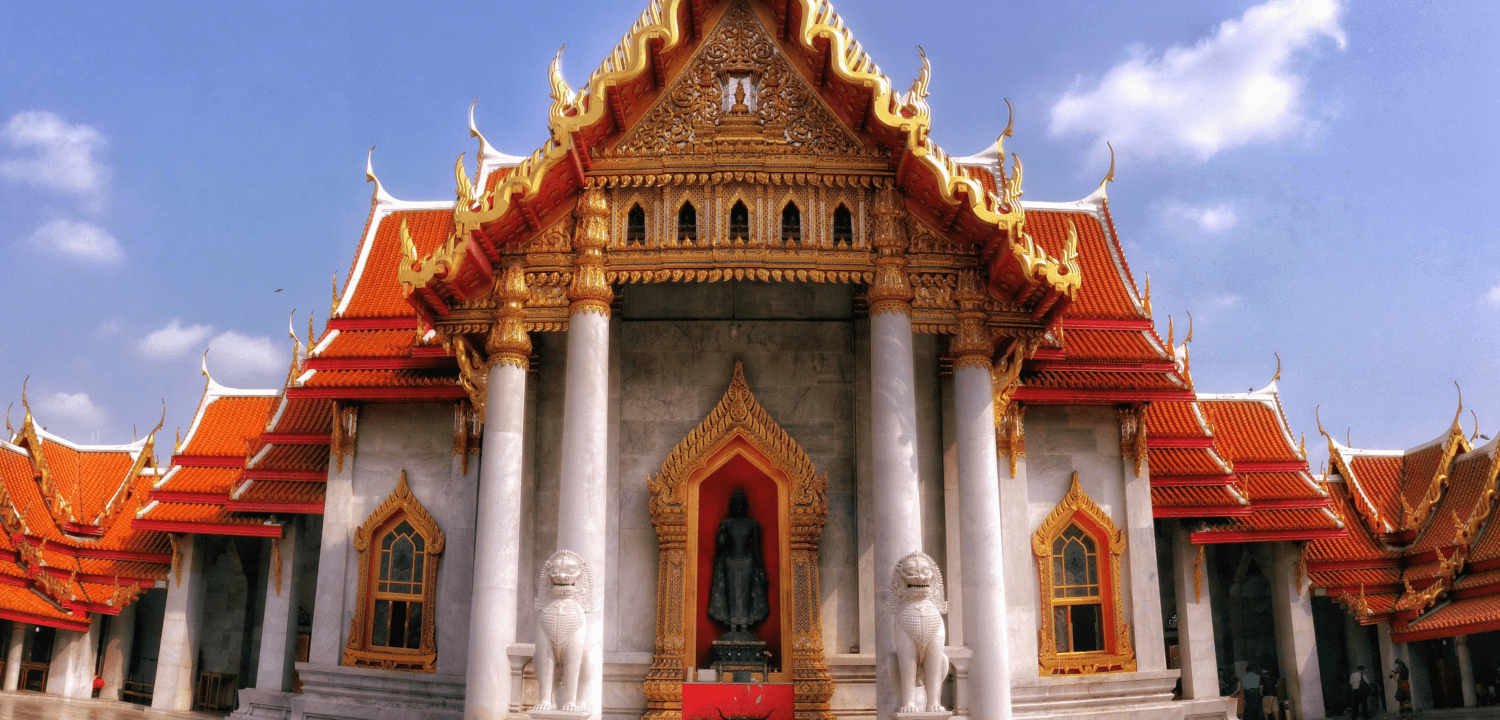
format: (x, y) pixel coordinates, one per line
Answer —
(565, 599)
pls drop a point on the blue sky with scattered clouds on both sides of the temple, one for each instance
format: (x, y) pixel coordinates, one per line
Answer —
(1310, 179)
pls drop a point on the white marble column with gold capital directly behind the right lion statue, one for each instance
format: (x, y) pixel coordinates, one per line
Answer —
(893, 434)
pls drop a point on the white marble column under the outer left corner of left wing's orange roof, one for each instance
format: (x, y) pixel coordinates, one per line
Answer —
(179, 649)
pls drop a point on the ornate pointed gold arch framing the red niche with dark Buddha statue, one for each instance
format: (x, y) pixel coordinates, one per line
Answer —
(739, 428)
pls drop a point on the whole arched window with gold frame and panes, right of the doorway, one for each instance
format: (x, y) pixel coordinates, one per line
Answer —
(1082, 620)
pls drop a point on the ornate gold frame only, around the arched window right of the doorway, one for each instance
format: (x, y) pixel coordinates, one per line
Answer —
(1118, 655)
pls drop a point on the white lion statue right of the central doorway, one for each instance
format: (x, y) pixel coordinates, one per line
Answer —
(919, 605)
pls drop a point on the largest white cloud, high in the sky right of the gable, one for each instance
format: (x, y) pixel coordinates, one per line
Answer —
(1228, 91)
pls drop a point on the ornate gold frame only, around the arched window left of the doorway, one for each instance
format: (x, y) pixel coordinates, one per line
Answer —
(358, 650)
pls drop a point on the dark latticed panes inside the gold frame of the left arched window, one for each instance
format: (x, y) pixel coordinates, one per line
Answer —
(398, 611)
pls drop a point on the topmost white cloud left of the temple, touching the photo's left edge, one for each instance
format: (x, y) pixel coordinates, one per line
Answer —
(61, 157)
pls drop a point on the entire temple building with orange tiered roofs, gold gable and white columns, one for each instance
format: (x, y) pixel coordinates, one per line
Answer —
(743, 398)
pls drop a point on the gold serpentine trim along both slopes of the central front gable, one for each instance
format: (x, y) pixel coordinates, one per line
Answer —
(529, 197)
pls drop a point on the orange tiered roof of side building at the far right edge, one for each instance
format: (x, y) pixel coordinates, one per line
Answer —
(1421, 553)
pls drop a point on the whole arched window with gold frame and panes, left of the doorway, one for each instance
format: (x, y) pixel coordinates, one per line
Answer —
(394, 616)
